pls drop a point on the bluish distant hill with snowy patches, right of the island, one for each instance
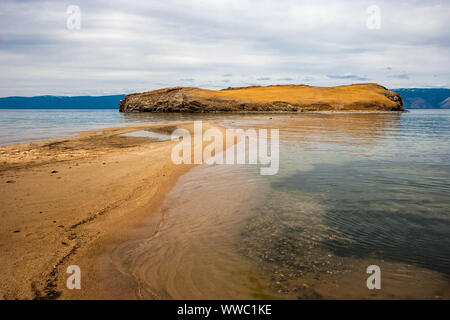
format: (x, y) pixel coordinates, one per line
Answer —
(417, 98)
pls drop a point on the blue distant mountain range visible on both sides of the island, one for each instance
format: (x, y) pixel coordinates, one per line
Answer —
(414, 98)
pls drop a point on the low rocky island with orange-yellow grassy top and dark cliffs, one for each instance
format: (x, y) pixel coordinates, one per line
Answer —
(290, 98)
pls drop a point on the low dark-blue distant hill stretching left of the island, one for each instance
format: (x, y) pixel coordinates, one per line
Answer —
(61, 102)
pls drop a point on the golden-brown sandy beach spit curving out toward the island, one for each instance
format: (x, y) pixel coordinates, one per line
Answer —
(66, 201)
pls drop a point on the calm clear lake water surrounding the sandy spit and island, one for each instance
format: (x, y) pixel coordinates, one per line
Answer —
(352, 190)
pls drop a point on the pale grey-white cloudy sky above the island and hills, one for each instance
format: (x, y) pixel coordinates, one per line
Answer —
(132, 46)
